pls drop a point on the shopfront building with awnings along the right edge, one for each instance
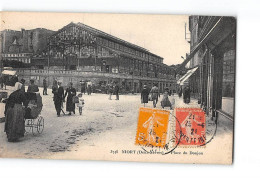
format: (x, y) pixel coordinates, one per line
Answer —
(213, 54)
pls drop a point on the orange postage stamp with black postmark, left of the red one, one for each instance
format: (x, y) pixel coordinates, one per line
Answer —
(152, 127)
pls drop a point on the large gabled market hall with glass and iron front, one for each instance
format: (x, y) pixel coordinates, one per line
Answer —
(79, 52)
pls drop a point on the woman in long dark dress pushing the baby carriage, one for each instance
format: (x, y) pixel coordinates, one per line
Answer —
(14, 113)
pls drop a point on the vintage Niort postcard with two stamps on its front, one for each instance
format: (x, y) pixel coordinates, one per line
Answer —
(121, 87)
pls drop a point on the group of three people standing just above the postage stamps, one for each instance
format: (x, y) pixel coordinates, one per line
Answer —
(154, 94)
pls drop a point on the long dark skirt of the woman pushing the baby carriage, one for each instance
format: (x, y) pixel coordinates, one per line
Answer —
(14, 124)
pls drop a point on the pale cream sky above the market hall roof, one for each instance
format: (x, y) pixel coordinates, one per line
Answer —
(163, 35)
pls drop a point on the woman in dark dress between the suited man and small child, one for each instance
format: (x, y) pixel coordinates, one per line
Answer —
(70, 91)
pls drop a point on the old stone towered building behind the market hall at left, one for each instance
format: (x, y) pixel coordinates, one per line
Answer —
(18, 47)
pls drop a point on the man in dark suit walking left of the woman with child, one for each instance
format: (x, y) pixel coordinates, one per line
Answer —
(58, 97)
